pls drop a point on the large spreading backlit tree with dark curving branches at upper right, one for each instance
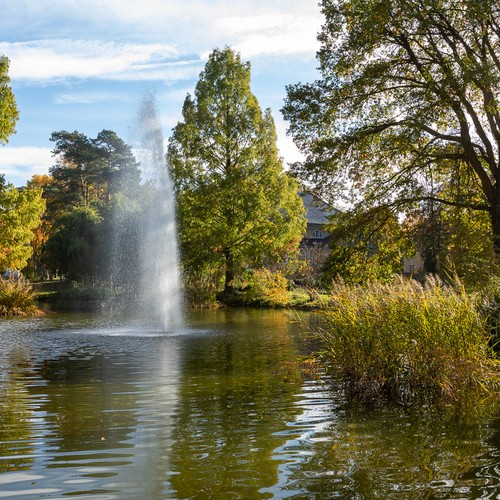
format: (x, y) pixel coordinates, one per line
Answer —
(407, 102)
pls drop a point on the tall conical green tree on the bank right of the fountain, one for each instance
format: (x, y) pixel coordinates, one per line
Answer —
(236, 206)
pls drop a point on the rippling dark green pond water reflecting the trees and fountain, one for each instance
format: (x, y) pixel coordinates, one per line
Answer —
(216, 409)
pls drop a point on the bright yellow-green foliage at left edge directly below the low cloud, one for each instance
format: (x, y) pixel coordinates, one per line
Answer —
(20, 214)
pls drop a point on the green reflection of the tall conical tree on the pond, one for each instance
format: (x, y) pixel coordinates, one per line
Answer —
(231, 405)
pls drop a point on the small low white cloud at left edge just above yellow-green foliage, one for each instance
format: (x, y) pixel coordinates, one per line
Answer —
(20, 163)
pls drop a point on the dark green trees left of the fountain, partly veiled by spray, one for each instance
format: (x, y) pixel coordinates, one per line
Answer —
(95, 203)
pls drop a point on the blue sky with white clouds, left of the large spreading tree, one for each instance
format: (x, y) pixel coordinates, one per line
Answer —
(86, 65)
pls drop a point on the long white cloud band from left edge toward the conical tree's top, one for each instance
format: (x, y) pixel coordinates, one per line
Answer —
(60, 59)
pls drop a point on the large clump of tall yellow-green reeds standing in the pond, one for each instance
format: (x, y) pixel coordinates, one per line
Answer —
(408, 341)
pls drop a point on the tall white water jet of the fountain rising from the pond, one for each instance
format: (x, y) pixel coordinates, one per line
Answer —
(155, 255)
